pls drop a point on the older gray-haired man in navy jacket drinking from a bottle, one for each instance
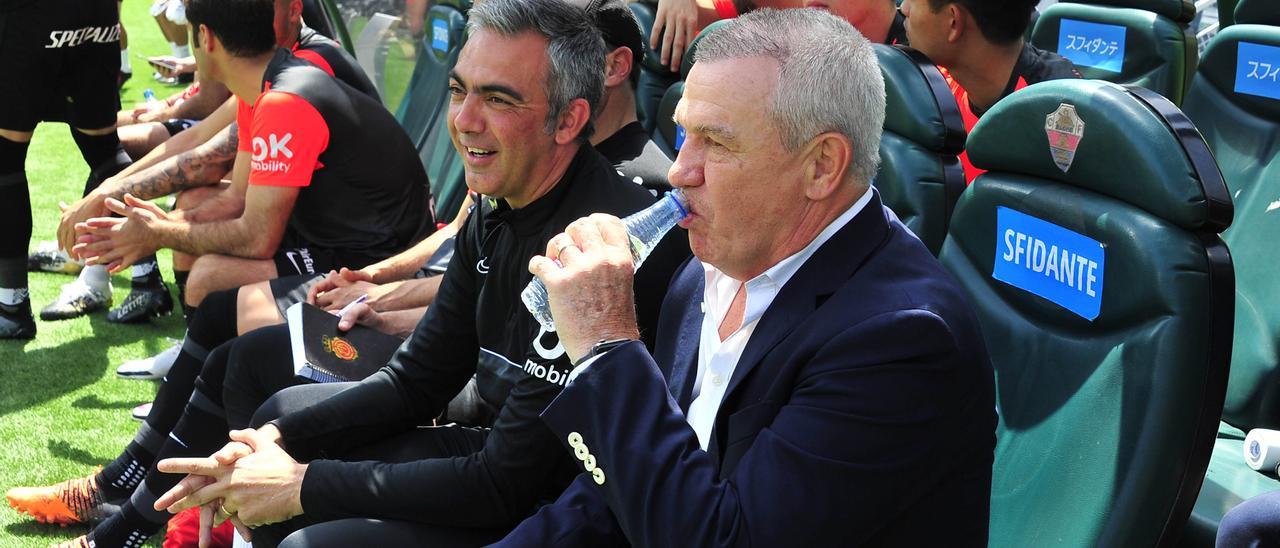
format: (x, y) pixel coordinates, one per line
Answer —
(819, 378)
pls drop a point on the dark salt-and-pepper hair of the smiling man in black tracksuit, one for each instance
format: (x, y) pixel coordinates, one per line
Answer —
(575, 51)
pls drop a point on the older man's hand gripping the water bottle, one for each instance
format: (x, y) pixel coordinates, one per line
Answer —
(588, 272)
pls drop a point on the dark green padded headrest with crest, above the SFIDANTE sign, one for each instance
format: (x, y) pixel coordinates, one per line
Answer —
(1122, 149)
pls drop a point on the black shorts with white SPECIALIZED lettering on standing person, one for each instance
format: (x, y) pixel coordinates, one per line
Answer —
(61, 61)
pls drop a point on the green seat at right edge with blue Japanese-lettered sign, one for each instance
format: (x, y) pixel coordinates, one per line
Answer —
(1236, 103)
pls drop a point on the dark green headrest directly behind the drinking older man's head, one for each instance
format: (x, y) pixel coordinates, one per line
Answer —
(903, 68)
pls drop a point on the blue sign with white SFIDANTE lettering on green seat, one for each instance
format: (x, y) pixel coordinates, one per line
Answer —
(1050, 262)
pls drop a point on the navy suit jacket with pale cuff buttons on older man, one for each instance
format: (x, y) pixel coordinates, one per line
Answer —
(862, 413)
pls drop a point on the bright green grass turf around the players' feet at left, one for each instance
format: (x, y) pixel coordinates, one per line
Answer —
(62, 409)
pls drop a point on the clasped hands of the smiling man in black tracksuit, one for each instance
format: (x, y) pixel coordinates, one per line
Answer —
(252, 481)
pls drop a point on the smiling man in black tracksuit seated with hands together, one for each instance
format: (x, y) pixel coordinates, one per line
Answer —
(372, 476)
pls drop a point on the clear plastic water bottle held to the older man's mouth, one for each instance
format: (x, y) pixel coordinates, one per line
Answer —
(646, 229)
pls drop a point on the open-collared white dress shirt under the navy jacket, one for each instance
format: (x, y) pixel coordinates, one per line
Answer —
(719, 359)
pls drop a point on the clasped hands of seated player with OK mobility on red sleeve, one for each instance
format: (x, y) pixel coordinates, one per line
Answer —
(118, 243)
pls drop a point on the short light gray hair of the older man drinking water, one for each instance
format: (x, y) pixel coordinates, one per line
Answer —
(829, 77)
